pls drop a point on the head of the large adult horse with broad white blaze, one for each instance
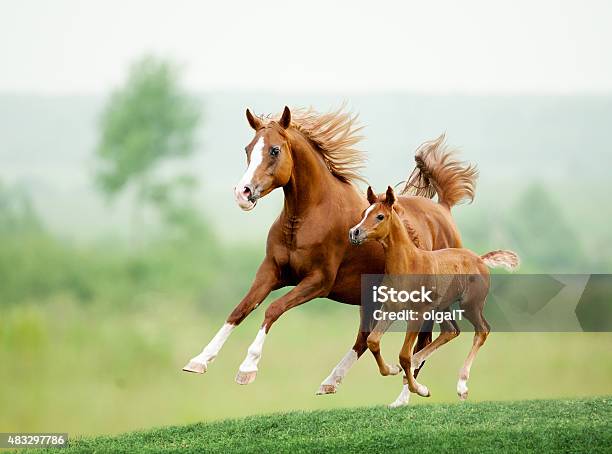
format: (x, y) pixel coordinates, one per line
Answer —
(269, 161)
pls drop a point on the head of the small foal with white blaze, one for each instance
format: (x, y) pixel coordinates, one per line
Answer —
(375, 223)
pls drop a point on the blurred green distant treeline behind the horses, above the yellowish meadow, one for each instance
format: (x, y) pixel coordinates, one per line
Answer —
(185, 260)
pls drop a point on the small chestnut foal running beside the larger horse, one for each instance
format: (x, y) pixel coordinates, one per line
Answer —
(463, 276)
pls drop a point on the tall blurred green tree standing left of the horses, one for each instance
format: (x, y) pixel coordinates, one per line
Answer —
(147, 120)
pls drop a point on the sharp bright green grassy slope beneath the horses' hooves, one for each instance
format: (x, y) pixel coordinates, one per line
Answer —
(579, 425)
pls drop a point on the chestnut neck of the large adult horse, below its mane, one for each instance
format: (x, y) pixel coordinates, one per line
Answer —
(310, 180)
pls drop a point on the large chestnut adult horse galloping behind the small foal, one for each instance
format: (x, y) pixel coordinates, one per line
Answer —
(311, 156)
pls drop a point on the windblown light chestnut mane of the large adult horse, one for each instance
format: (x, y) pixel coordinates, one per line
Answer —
(335, 135)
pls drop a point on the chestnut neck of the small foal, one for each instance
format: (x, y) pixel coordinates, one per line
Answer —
(400, 252)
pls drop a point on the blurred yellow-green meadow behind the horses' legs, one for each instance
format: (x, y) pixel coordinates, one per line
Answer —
(84, 370)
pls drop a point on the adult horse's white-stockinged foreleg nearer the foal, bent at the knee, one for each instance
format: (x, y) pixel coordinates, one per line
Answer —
(309, 288)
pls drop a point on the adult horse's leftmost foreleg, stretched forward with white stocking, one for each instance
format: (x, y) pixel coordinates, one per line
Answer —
(265, 281)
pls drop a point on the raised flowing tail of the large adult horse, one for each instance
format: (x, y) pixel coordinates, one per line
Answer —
(438, 172)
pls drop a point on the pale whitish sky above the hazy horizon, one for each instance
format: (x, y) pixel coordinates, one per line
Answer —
(466, 46)
